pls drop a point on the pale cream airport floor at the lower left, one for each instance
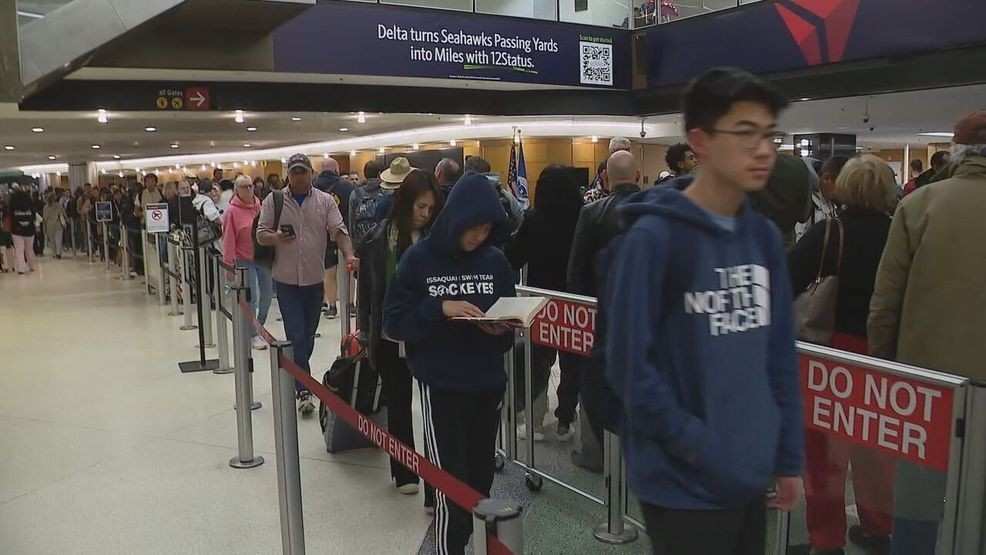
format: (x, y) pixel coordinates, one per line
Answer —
(106, 448)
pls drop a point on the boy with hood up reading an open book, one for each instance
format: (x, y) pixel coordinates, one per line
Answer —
(456, 271)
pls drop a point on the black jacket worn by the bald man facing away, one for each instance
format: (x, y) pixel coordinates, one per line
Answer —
(598, 224)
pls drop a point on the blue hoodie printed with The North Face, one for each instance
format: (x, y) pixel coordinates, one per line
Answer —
(700, 349)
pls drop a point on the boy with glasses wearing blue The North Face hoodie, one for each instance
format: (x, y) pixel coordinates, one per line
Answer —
(700, 340)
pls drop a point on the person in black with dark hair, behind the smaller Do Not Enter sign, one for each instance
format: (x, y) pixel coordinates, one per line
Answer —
(543, 244)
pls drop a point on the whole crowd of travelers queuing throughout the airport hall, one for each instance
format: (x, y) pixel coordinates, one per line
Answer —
(709, 409)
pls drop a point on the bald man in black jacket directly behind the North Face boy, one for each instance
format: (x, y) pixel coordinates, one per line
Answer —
(597, 226)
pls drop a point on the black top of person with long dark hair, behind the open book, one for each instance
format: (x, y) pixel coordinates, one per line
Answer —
(544, 246)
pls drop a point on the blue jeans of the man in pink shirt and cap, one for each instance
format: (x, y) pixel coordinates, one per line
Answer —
(301, 308)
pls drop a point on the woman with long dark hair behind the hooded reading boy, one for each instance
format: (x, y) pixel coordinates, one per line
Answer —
(416, 204)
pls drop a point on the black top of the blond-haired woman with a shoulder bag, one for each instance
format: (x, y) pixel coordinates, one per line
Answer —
(866, 236)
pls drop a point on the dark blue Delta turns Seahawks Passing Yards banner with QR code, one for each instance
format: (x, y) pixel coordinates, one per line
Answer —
(349, 38)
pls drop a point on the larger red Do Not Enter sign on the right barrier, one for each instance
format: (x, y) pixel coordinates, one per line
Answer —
(906, 418)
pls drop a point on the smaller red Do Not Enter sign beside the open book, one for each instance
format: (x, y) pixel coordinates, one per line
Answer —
(566, 326)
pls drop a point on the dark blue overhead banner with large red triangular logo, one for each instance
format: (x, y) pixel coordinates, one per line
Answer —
(785, 35)
